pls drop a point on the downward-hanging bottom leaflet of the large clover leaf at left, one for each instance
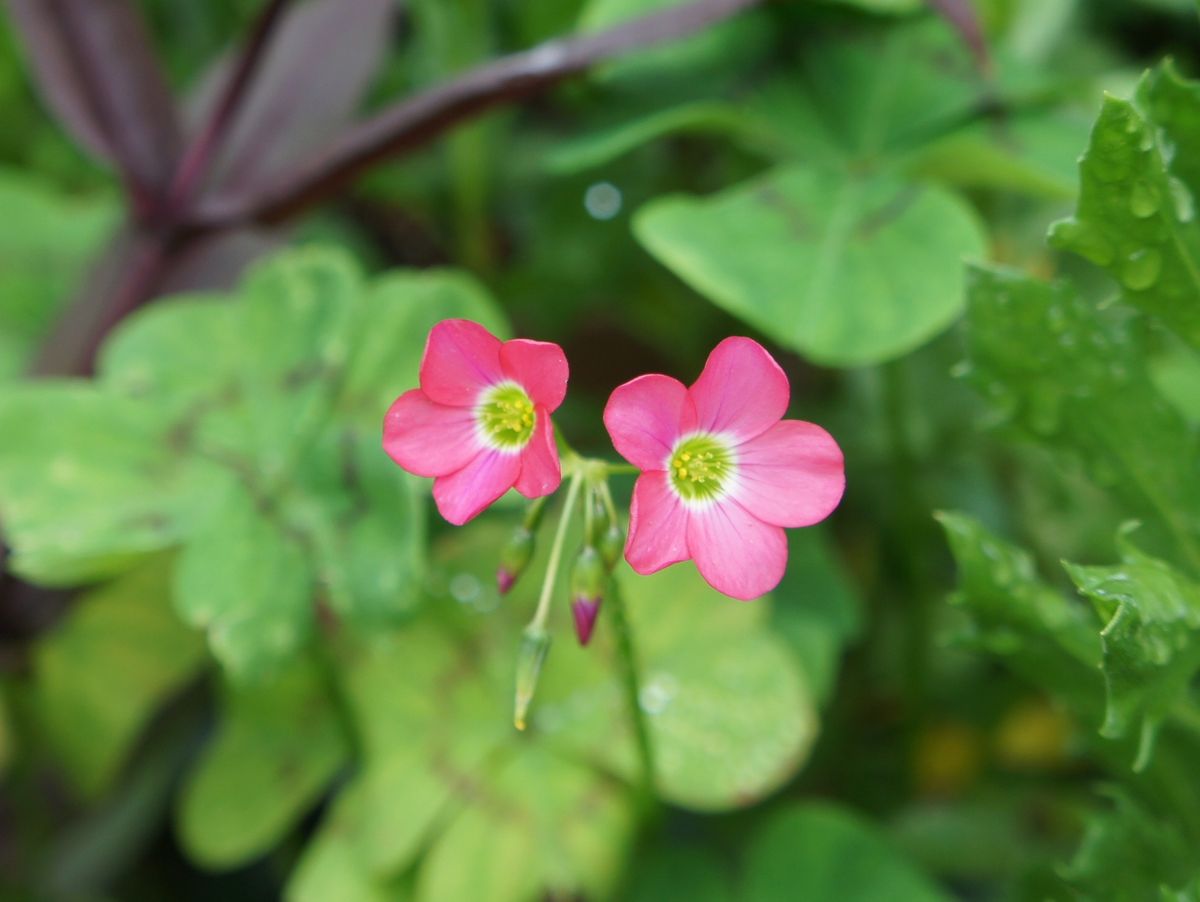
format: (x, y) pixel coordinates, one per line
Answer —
(248, 582)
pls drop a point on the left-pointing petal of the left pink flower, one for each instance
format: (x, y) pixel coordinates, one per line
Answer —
(429, 440)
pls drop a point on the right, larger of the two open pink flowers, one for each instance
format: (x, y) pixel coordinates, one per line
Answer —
(723, 472)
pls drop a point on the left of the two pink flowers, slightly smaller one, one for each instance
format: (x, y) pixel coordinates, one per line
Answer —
(481, 422)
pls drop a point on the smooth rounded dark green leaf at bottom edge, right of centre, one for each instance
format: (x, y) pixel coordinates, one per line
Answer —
(821, 852)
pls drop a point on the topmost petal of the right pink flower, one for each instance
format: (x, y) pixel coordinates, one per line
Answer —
(742, 390)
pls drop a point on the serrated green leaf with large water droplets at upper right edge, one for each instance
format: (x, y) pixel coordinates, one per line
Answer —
(1137, 205)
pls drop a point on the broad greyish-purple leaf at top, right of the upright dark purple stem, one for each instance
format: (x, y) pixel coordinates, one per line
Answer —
(317, 67)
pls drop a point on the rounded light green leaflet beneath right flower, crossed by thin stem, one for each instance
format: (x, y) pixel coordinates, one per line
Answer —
(730, 714)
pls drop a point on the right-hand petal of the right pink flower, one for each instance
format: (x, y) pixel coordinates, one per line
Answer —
(793, 476)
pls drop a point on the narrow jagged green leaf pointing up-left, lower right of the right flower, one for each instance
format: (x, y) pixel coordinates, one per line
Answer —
(1040, 634)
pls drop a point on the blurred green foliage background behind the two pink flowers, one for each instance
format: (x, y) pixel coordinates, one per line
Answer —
(242, 658)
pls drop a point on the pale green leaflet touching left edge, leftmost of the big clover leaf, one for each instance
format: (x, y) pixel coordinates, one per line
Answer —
(89, 483)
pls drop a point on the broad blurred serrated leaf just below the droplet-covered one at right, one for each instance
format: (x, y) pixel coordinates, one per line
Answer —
(1076, 380)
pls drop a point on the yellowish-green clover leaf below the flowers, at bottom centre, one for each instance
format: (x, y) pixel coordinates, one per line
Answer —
(446, 773)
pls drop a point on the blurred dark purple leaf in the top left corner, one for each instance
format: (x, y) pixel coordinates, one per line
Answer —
(95, 68)
